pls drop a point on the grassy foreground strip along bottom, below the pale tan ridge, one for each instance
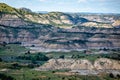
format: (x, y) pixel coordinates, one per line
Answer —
(28, 74)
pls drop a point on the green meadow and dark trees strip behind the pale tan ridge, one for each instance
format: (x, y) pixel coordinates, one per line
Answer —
(22, 53)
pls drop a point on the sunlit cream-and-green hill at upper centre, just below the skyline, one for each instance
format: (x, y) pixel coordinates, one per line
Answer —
(57, 19)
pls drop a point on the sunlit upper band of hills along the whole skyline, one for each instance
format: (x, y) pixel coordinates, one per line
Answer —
(62, 20)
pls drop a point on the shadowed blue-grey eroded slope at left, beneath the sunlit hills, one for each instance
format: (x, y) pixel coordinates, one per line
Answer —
(24, 33)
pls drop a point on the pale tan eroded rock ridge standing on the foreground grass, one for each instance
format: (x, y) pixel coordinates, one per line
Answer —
(72, 64)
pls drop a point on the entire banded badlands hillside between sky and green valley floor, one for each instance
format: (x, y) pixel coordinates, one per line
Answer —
(43, 30)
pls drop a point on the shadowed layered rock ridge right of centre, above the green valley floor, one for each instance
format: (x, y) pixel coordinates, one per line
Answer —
(82, 39)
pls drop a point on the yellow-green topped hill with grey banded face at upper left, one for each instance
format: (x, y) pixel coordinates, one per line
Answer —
(10, 16)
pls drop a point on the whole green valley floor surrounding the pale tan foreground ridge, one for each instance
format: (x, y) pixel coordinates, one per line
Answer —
(18, 63)
